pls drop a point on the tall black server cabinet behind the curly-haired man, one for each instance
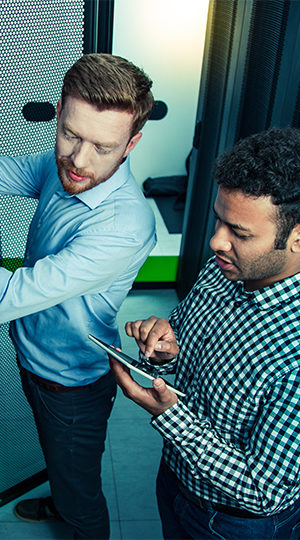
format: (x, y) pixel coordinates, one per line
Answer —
(250, 82)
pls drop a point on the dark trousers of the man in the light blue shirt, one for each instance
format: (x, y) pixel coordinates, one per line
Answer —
(72, 430)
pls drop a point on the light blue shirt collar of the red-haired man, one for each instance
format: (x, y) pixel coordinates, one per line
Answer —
(93, 197)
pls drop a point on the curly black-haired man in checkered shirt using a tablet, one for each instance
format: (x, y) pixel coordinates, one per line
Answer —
(230, 465)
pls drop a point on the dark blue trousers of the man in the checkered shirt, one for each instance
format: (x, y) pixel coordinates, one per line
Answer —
(182, 519)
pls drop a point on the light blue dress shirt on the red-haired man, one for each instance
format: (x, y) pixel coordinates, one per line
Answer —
(83, 253)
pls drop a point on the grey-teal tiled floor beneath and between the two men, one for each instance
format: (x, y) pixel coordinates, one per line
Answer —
(131, 457)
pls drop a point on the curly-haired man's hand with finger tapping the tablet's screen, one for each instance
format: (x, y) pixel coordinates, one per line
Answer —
(154, 337)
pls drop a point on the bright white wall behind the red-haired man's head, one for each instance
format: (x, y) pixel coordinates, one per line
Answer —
(166, 39)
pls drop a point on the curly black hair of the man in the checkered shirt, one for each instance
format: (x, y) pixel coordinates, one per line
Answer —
(267, 164)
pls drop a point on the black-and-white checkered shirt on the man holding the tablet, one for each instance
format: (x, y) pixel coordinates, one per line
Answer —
(234, 438)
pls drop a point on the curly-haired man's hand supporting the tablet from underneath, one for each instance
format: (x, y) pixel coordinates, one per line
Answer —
(155, 400)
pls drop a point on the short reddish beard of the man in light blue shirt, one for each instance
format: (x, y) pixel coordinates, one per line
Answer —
(73, 187)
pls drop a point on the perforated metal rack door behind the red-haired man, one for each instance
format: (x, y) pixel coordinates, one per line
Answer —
(40, 40)
